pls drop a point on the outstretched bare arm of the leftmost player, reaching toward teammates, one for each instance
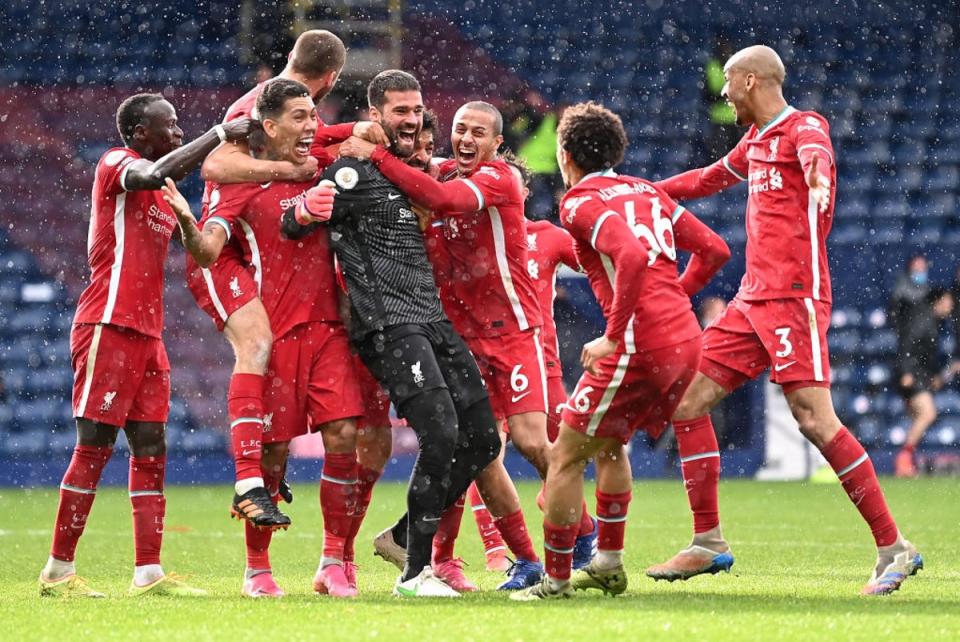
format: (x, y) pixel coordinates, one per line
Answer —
(145, 175)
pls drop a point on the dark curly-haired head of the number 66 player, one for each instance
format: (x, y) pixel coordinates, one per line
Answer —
(593, 136)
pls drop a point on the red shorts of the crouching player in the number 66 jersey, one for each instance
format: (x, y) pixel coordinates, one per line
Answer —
(633, 392)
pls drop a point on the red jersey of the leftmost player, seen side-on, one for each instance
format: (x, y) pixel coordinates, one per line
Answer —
(126, 249)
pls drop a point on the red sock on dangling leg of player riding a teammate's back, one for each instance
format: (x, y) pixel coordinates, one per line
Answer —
(245, 412)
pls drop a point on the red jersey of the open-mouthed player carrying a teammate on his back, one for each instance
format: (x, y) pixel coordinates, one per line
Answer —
(296, 279)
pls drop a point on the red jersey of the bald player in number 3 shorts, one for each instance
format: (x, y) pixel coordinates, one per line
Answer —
(786, 232)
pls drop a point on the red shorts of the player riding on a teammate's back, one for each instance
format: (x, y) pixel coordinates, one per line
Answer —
(223, 288)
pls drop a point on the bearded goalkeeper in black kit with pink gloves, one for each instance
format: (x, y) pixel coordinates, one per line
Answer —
(398, 325)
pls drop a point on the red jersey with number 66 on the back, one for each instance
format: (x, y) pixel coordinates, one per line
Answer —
(663, 315)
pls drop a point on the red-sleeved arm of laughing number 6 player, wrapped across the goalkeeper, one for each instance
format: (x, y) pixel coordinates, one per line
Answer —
(454, 196)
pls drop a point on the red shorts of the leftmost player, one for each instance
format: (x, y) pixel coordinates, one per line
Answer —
(119, 375)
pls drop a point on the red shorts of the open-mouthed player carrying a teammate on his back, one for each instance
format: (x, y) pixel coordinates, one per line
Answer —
(310, 381)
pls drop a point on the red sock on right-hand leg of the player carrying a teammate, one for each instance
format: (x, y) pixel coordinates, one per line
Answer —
(338, 500)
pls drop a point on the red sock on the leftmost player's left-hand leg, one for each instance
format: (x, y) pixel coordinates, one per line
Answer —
(77, 491)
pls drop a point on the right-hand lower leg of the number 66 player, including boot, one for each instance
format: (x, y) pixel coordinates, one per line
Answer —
(614, 482)
